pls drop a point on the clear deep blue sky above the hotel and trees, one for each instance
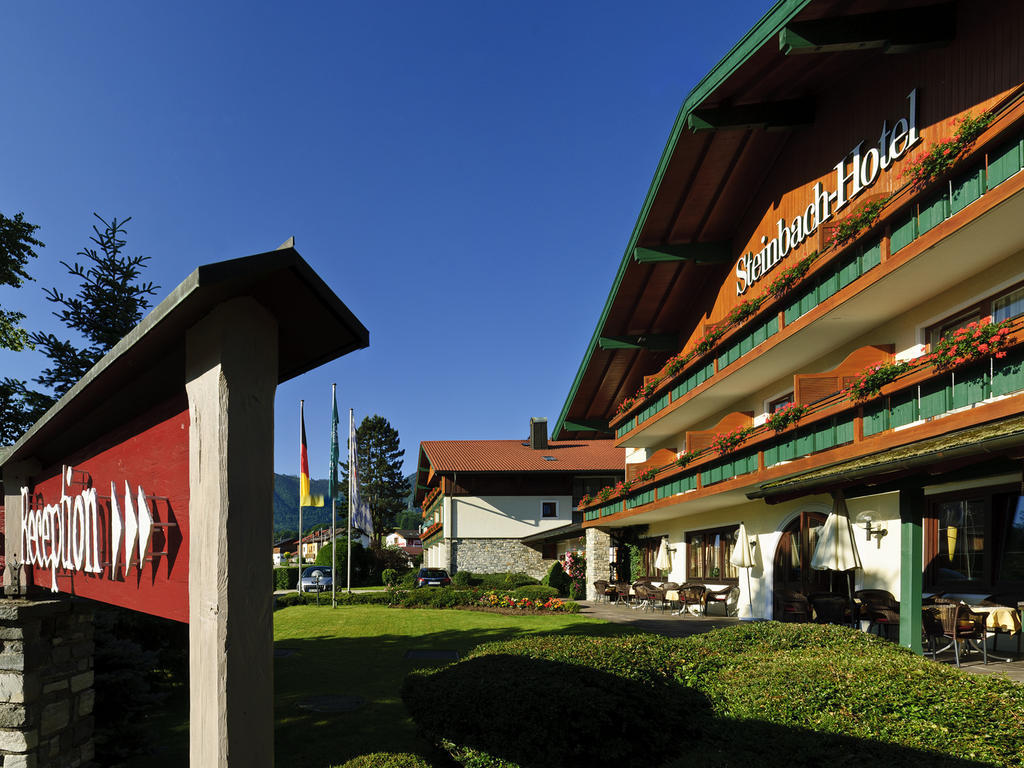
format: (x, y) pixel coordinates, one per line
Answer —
(465, 176)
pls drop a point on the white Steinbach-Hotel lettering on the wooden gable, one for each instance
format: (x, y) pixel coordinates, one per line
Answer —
(856, 173)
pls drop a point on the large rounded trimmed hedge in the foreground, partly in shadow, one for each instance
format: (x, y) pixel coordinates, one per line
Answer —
(758, 694)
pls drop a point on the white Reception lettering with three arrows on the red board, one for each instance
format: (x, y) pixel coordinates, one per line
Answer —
(70, 536)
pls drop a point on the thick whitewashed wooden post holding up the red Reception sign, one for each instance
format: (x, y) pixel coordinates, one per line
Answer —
(231, 378)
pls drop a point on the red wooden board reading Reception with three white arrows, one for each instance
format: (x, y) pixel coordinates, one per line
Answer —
(112, 523)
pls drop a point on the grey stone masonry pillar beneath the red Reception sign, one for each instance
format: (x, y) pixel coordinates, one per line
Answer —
(47, 694)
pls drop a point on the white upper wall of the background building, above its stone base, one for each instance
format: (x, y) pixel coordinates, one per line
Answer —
(505, 517)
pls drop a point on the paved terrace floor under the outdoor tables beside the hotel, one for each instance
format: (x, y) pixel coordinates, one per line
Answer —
(663, 623)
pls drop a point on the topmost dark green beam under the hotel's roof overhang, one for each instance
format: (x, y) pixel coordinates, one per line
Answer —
(900, 31)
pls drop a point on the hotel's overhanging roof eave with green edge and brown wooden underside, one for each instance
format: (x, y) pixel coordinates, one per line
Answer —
(720, 155)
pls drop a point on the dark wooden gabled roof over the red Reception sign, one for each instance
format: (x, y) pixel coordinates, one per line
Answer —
(147, 368)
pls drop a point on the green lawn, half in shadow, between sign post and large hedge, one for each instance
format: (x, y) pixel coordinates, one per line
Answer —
(360, 651)
